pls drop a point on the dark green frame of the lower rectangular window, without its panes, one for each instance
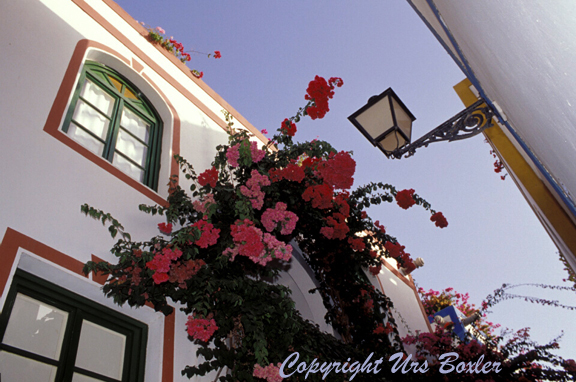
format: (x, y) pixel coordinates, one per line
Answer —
(79, 309)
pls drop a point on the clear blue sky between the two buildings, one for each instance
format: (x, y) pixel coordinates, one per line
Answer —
(272, 49)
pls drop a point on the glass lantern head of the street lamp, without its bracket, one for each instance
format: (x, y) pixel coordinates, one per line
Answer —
(385, 121)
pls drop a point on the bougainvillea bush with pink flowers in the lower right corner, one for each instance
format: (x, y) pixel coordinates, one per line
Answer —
(520, 358)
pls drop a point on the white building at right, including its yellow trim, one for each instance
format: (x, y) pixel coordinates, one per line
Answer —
(518, 56)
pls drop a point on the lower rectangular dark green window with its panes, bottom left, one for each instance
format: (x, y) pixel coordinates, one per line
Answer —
(49, 334)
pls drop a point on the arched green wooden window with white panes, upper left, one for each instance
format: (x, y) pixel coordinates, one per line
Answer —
(110, 117)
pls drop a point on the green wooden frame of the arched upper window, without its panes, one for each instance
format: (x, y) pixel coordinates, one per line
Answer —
(143, 108)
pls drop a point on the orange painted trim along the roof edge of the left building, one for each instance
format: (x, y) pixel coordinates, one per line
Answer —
(158, 69)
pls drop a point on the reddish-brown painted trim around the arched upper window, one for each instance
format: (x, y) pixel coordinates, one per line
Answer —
(58, 110)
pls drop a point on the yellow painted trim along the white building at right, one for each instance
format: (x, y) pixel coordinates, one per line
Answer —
(554, 217)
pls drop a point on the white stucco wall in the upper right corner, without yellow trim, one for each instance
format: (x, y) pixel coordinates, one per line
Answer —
(523, 55)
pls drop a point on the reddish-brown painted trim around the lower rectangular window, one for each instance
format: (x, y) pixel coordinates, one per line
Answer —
(9, 249)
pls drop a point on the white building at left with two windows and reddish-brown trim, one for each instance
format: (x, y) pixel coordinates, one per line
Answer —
(92, 112)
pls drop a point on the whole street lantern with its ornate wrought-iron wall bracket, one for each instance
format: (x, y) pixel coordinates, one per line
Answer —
(387, 123)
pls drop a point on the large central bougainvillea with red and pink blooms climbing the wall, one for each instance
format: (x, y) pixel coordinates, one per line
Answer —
(225, 238)
